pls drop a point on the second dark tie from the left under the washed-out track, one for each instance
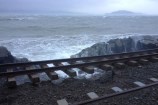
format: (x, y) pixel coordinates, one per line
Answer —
(33, 77)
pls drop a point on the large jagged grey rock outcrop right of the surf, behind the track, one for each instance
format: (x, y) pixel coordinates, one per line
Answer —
(119, 45)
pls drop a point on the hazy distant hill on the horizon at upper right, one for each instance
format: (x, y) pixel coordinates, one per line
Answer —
(123, 13)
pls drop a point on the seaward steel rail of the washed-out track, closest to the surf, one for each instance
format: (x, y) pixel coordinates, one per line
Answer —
(72, 59)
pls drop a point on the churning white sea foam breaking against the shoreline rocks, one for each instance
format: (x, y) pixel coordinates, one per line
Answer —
(53, 47)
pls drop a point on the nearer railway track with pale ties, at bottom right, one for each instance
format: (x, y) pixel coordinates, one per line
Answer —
(117, 91)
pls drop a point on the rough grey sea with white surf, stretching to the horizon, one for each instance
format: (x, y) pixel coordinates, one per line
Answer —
(42, 37)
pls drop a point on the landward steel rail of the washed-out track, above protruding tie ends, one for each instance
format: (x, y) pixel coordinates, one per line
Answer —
(16, 73)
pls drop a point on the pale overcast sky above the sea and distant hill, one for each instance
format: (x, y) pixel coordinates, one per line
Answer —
(80, 6)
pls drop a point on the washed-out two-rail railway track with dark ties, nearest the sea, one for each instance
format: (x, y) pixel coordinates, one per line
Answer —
(86, 64)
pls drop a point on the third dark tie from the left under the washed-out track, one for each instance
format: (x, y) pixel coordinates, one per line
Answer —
(50, 74)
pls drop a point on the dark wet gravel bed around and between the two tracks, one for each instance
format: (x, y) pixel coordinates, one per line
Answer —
(74, 90)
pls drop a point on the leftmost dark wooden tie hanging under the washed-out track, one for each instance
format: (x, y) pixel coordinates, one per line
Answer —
(11, 80)
